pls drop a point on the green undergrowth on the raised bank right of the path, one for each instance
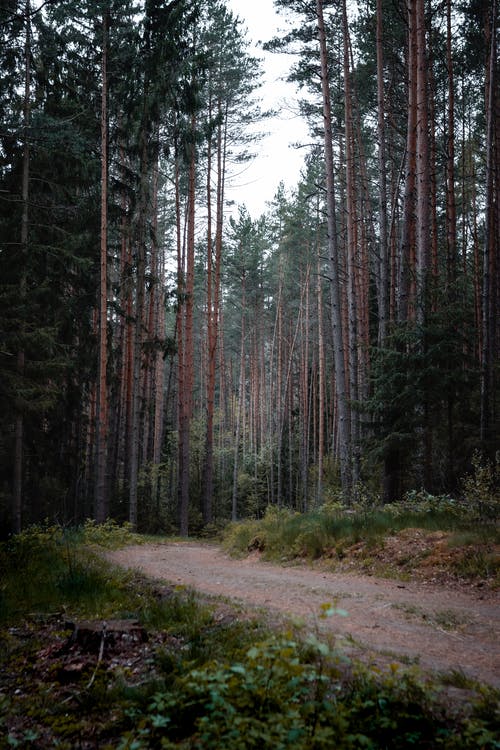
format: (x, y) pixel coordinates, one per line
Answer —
(334, 531)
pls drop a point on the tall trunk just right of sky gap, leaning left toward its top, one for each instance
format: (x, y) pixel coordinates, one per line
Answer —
(344, 435)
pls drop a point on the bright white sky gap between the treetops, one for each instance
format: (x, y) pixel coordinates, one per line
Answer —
(276, 159)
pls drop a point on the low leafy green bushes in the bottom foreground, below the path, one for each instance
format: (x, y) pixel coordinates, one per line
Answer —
(272, 698)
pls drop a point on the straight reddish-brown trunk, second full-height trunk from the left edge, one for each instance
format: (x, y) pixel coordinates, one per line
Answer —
(101, 490)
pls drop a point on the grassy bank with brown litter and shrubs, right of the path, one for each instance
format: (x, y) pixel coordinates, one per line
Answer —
(423, 536)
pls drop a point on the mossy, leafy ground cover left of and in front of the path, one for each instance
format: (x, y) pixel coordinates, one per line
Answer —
(203, 676)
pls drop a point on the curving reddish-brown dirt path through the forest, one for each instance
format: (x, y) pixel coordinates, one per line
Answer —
(439, 628)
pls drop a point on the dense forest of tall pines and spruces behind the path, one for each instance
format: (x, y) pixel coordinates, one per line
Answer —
(168, 360)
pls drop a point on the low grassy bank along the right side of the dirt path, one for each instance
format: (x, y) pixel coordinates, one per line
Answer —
(359, 536)
